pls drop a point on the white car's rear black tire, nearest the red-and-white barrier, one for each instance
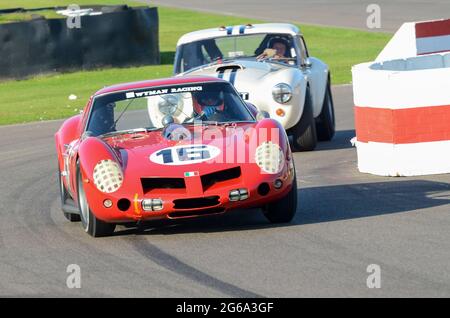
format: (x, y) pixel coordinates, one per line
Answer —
(326, 122)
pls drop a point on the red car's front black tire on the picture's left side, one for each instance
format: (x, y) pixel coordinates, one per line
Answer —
(91, 225)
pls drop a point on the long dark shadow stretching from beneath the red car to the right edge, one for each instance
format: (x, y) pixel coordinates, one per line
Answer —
(315, 205)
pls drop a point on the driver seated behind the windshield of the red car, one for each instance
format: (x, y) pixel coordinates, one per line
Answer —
(209, 105)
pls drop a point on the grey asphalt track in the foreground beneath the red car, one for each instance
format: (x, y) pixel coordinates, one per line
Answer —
(345, 221)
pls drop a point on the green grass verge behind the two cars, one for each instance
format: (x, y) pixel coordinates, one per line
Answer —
(46, 97)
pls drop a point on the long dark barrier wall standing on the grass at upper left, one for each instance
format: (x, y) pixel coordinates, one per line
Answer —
(115, 38)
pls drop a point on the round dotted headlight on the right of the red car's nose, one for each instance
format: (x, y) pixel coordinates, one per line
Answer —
(269, 157)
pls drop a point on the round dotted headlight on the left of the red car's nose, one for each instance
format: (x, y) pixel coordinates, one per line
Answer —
(108, 176)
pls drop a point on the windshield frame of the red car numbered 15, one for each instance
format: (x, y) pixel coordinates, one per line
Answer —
(96, 97)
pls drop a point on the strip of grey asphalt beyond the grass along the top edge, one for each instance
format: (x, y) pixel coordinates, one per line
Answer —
(344, 13)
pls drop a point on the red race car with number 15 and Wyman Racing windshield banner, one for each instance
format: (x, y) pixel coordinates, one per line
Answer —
(172, 148)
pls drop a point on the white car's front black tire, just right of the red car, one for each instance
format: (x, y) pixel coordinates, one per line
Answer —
(304, 132)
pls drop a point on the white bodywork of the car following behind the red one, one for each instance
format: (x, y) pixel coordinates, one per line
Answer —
(255, 79)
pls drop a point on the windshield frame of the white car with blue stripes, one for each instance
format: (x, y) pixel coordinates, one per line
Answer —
(180, 48)
